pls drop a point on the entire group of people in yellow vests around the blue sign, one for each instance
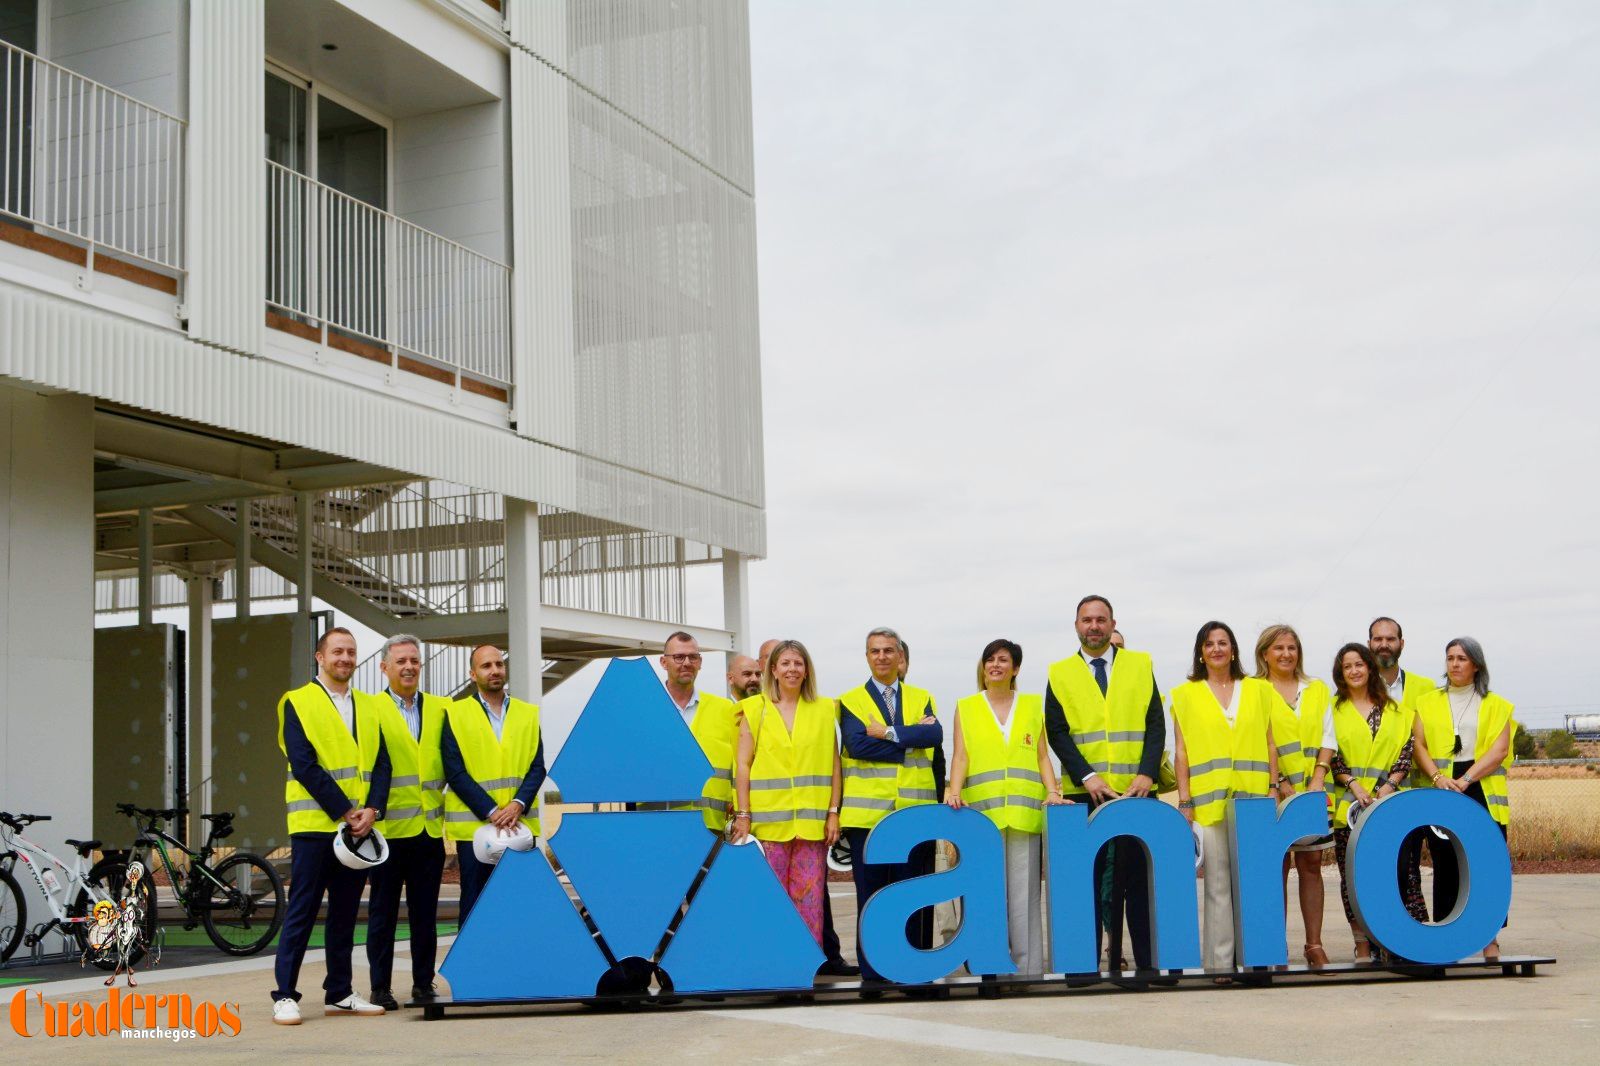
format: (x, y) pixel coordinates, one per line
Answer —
(796, 771)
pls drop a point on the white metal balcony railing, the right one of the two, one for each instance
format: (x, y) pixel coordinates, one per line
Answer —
(337, 263)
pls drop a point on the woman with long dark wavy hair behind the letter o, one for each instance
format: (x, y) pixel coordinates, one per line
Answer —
(1374, 761)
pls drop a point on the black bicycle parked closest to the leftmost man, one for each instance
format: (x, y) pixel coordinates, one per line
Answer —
(239, 902)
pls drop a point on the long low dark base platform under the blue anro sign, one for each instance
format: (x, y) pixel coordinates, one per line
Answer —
(994, 987)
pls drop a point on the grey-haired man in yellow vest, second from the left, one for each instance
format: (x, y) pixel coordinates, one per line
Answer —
(412, 723)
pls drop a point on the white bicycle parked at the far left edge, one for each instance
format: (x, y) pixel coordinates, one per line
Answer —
(71, 892)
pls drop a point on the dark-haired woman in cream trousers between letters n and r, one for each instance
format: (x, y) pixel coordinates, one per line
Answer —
(1222, 748)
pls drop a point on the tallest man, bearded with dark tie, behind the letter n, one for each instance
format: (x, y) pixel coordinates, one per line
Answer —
(1106, 724)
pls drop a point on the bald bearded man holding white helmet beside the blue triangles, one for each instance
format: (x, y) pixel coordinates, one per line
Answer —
(494, 759)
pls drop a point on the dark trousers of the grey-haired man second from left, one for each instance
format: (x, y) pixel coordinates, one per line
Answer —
(417, 865)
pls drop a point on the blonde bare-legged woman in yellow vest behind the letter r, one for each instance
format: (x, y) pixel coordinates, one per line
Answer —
(1303, 734)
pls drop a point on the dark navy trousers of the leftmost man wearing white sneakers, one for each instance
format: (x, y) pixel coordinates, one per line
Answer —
(314, 872)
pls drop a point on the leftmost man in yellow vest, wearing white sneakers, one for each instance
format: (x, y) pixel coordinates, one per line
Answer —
(338, 777)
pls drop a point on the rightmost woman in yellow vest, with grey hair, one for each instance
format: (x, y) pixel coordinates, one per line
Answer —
(1463, 718)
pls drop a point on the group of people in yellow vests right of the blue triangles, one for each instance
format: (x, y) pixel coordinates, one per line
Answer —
(1270, 732)
